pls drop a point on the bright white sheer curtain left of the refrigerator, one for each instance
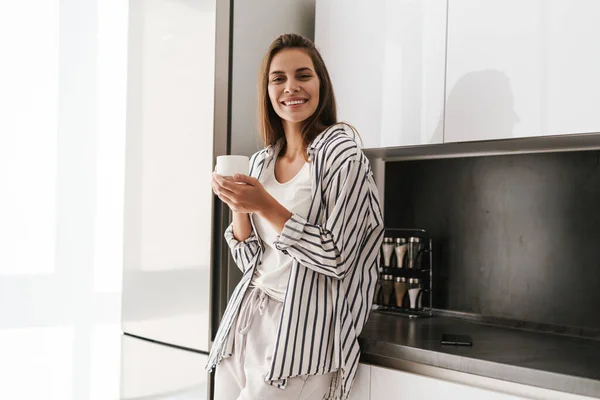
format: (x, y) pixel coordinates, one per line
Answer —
(62, 145)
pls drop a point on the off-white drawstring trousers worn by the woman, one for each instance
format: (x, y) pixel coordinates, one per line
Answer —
(242, 376)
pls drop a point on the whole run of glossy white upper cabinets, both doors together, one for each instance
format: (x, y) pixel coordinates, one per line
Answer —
(512, 68)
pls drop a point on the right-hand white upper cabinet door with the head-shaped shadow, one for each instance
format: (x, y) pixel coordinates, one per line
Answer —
(520, 68)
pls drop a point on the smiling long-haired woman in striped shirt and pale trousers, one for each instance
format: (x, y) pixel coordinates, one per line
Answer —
(306, 233)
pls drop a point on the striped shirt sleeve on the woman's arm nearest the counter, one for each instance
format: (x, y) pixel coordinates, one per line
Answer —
(332, 248)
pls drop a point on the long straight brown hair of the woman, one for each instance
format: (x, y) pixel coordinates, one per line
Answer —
(270, 126)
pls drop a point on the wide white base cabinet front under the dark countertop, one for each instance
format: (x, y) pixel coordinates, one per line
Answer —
(412, 386)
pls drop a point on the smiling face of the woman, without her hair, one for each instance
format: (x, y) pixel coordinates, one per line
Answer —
(293, 85)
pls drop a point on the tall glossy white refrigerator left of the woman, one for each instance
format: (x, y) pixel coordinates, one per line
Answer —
(170, 295)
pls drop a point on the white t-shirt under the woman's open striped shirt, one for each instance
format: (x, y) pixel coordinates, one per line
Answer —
(272, 273)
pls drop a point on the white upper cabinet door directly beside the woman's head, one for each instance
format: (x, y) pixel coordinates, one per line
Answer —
(386, 59)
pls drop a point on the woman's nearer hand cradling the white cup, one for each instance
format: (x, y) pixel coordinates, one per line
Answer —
(242, 193)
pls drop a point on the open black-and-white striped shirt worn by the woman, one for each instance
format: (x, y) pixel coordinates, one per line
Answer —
(332, 279)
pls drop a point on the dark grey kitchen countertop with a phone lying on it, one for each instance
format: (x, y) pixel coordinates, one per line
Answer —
(558, 362)
